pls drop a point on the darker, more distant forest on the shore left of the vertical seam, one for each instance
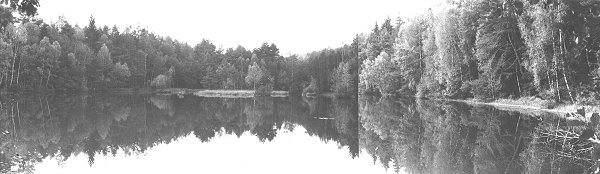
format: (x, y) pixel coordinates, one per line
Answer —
(40, 56)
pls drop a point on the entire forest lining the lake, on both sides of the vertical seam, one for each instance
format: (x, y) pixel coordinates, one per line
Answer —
(465, 49)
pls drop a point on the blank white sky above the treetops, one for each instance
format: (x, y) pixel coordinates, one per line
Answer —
(296, 27)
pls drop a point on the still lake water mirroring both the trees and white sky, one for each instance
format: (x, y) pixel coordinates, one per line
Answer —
(170, 134)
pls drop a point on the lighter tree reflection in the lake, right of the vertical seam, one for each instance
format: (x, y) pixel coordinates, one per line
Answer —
(426, 136)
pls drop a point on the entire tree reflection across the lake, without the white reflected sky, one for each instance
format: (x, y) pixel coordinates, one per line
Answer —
(419, 136)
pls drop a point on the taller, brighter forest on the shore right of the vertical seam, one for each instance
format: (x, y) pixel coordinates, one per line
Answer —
(488, 50)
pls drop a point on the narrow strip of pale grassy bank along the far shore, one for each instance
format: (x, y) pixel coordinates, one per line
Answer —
(217, 93)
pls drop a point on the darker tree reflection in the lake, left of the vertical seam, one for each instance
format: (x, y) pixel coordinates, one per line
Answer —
(35, 127)
